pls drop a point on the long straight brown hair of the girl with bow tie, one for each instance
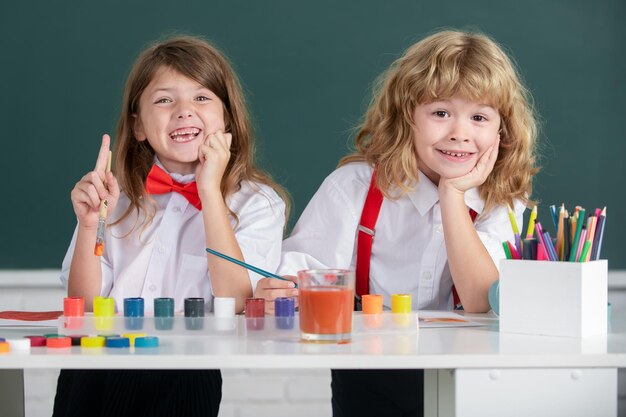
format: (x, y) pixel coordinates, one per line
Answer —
(203, 63)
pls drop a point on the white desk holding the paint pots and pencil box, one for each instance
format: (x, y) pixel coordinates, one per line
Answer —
(494, 372)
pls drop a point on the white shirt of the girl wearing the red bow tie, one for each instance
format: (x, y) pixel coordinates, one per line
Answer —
(168, 257)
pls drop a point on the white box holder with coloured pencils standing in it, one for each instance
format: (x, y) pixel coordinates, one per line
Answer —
(553, 298)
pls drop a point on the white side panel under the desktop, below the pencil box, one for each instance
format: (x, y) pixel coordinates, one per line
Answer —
(535, 392)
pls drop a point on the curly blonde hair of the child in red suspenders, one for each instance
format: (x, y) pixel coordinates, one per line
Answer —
(443, 65)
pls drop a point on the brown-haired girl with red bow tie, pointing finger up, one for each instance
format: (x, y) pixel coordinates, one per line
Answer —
(187, 180)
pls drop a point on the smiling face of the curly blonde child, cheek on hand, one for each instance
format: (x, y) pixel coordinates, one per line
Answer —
(451, 135)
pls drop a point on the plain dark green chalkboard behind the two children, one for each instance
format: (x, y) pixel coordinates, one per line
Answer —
(307, 68)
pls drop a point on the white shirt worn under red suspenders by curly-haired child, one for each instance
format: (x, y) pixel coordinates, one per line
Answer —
(408, 253)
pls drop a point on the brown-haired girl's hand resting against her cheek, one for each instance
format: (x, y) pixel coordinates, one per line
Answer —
(213, 154)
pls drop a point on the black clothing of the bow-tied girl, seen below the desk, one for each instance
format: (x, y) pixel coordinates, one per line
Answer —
(138, 393)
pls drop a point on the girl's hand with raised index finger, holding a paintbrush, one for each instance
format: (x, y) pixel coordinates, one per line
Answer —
(94, 187)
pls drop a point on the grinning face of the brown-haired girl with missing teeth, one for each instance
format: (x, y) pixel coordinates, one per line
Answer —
(176, 114)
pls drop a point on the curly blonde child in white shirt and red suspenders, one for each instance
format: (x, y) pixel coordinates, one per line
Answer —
(447, 143)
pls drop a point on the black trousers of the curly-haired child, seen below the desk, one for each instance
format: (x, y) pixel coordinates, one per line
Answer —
(389, 393)
